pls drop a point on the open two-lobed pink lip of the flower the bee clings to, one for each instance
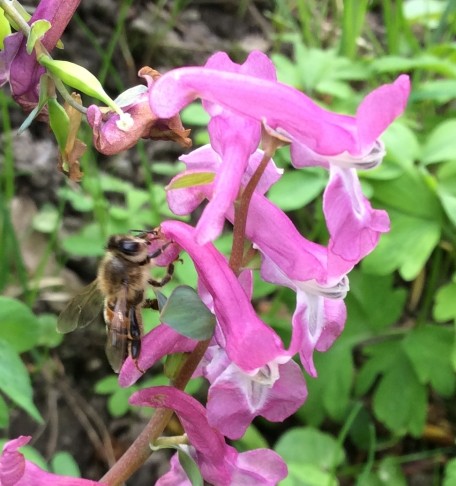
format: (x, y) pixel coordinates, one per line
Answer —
(235, 398)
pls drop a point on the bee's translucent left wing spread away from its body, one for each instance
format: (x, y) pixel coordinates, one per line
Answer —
(82, 309)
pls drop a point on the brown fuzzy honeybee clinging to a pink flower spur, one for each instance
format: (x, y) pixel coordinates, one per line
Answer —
(119, 290)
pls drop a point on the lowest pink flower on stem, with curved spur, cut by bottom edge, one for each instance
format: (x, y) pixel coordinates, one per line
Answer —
(219, 463)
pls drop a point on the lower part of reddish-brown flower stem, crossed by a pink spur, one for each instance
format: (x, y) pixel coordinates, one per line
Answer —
(139, 451)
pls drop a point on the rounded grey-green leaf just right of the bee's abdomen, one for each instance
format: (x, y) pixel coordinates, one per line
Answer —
(185, 312)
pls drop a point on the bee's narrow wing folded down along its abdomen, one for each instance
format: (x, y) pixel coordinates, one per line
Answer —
(117, 328)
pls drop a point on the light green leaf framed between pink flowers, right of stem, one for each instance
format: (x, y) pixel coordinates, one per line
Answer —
(295, 189)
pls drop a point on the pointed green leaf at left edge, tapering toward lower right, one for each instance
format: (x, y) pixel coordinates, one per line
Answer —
(15, 381)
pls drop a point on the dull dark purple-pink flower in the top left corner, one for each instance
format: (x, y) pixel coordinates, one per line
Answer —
(21, 69)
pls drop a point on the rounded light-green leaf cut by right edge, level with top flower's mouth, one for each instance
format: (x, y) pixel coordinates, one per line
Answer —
(441, 143)
